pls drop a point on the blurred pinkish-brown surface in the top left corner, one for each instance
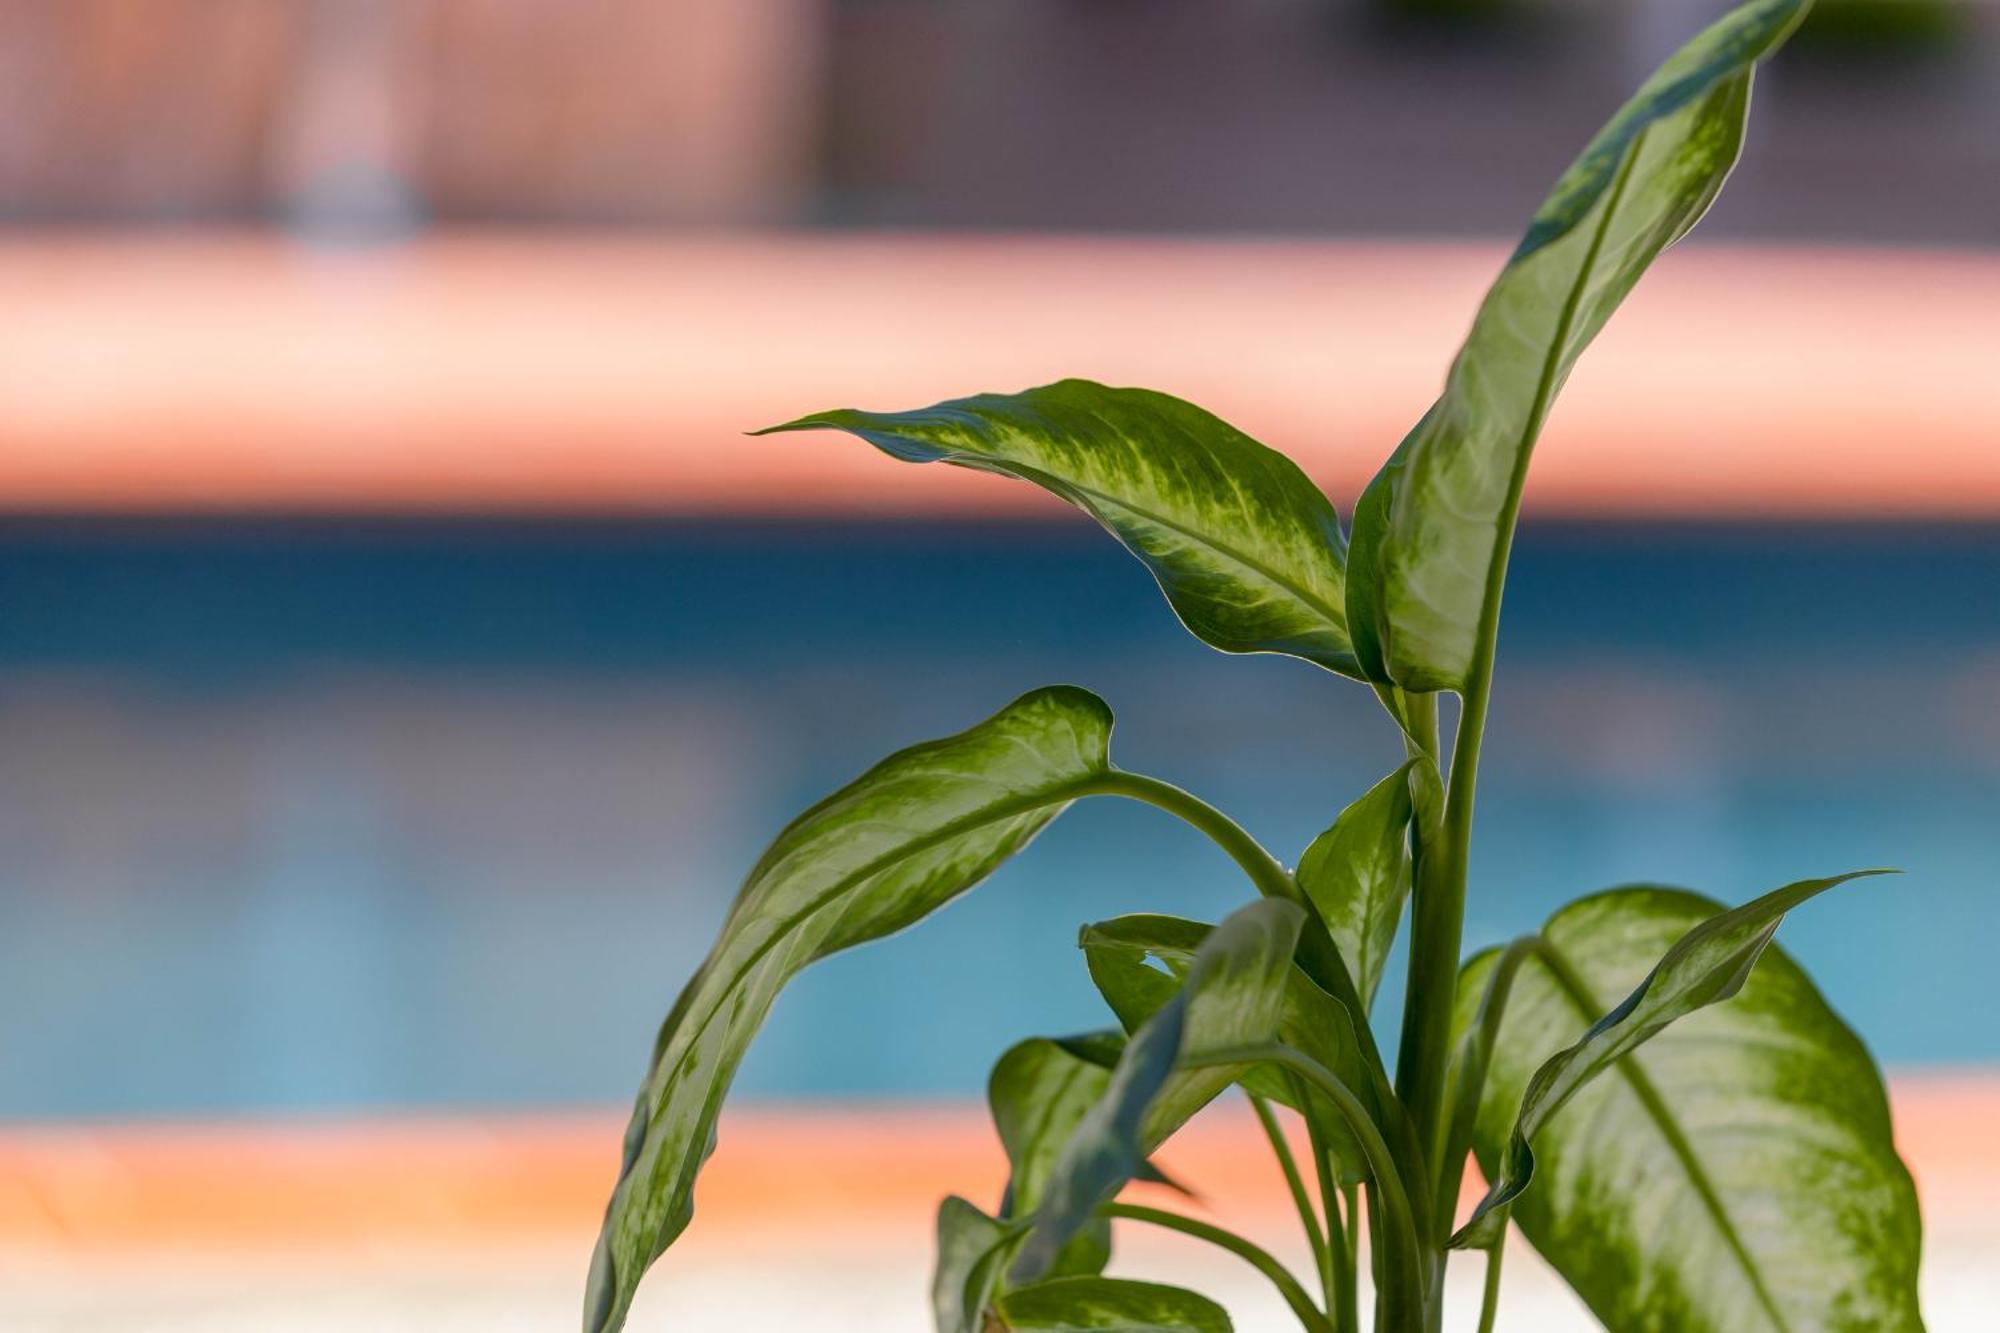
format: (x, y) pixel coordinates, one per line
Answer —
(373, 113)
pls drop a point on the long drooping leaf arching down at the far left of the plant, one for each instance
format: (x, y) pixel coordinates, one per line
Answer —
(875, 858)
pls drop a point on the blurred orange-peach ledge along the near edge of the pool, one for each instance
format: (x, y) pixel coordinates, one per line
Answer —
(823, 1178)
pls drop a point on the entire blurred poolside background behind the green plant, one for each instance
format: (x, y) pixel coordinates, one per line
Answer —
(403, 653)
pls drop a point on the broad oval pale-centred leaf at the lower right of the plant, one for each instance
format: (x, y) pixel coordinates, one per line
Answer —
(1737, 1172)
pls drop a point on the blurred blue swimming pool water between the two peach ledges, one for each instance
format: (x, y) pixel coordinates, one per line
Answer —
(349, 816)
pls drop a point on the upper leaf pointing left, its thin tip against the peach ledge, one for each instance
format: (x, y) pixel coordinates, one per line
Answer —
(1247, 549)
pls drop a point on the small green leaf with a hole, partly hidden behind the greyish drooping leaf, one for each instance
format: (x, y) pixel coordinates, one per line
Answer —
(1311, 1022)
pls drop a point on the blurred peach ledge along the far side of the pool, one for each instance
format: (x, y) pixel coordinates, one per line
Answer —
(615, 375)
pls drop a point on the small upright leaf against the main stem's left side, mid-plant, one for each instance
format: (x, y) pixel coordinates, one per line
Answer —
(1357, 876)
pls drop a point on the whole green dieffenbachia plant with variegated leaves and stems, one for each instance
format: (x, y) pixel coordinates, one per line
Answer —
(1661, 1102)
